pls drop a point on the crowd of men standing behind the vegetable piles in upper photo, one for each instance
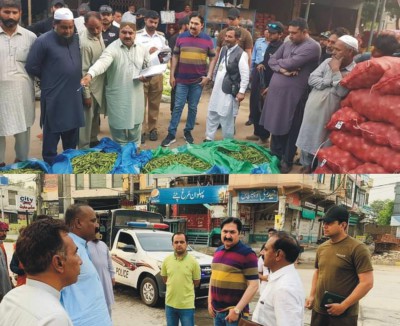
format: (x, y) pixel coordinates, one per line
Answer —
(86, 67)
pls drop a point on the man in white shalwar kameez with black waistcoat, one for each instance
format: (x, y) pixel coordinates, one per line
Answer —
(223, 107)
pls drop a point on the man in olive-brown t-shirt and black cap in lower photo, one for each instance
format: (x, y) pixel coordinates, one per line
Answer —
(343, 268)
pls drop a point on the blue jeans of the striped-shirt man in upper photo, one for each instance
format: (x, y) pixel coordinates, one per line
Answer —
(190, 93)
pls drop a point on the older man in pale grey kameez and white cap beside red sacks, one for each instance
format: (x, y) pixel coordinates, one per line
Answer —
(324, 98)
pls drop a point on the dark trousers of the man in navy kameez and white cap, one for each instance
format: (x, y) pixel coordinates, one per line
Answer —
(50, 141)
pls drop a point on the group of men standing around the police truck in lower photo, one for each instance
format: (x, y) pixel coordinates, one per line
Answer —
(68, 280)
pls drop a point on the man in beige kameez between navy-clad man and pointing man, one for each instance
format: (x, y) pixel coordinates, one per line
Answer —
(92, 46)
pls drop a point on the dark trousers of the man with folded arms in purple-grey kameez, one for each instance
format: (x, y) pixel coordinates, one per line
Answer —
(284, 146)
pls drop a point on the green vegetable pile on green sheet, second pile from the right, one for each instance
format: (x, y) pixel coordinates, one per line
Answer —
(174, 159)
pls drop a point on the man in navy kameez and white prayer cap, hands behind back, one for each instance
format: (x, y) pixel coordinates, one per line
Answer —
(55, 58)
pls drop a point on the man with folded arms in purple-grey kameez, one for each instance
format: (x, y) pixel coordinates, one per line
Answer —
(287, 93)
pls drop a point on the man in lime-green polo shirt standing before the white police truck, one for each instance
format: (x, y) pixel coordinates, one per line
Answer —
(181, 272)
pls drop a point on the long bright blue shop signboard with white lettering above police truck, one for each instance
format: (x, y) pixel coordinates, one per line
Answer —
(190, 195)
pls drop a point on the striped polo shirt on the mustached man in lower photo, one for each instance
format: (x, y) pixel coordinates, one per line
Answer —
(231, 269)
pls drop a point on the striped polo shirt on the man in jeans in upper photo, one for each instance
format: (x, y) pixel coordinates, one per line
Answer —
(193, 52)
